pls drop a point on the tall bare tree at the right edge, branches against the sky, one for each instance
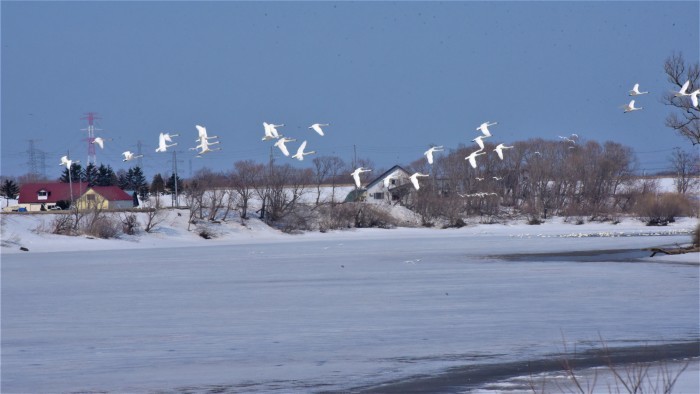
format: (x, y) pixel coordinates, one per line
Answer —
(685, 119)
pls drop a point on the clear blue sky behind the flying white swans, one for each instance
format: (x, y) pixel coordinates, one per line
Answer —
(391, 77)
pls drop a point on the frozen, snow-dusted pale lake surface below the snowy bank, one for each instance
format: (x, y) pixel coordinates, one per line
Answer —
(328, 314)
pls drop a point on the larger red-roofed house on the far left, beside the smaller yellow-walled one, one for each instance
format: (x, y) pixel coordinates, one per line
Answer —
(34, 196)
